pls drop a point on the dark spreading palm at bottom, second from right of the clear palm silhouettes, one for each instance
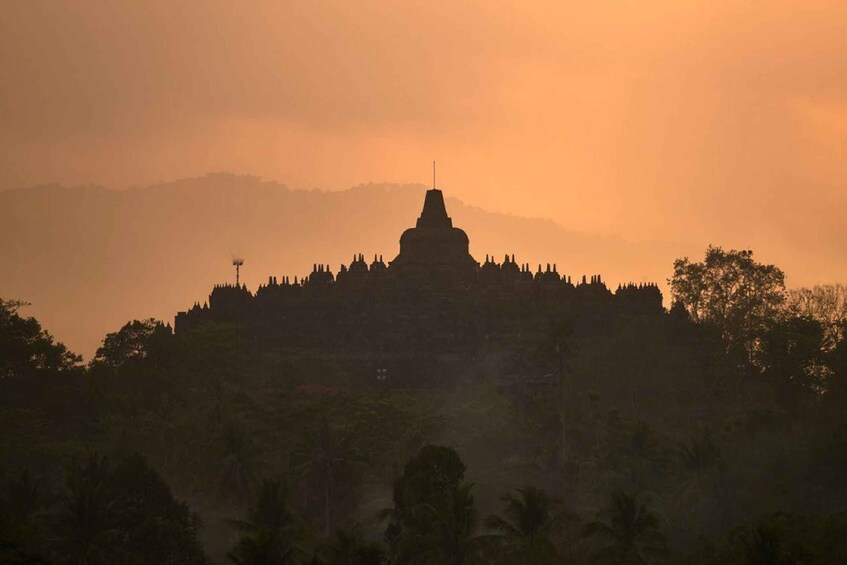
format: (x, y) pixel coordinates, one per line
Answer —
(528, 525)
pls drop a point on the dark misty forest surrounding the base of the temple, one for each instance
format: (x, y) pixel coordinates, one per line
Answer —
(710, 433)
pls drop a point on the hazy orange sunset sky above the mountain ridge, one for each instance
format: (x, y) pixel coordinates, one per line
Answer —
(695, 121)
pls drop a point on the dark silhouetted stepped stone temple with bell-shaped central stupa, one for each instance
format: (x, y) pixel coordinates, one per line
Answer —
(426, 315)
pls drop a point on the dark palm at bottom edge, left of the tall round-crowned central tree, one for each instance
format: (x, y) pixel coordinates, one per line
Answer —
(268, 535)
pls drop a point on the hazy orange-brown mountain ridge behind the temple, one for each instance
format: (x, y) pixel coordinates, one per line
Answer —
(89, 258)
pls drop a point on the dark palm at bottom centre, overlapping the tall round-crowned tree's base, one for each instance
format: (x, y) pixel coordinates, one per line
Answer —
(446, 532)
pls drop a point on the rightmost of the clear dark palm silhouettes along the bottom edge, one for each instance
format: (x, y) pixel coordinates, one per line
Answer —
(629, 534)
